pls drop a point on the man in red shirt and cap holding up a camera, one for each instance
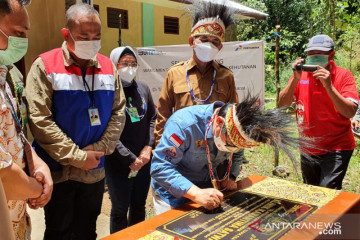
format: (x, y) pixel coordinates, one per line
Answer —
(326, 99)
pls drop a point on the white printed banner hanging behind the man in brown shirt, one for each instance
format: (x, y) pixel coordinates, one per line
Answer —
(245, 59)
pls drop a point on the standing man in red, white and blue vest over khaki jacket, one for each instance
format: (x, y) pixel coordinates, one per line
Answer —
(65, 85)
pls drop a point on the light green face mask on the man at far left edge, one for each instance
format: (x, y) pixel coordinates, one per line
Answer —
(17, 48)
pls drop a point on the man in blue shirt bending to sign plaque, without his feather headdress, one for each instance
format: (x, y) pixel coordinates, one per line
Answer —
(180, 169)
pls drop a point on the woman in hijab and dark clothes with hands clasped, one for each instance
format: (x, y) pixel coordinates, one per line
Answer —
(128, 168)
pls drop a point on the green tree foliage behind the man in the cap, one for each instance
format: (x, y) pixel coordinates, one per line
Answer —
(299, 21)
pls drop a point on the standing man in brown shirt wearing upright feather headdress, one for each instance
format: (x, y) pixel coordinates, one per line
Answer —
(199, 80)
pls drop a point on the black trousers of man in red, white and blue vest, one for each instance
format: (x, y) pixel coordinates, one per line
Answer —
(72, 211)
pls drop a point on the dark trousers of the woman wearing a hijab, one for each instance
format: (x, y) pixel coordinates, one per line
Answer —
(127, 195)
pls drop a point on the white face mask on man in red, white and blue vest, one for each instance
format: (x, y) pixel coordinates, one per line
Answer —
(86, 49)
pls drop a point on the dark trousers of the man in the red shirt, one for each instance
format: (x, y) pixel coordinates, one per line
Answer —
(326, 170)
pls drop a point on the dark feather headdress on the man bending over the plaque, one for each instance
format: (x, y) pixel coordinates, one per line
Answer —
(248, 126)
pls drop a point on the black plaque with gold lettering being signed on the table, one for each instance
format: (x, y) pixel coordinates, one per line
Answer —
(243, 215)
